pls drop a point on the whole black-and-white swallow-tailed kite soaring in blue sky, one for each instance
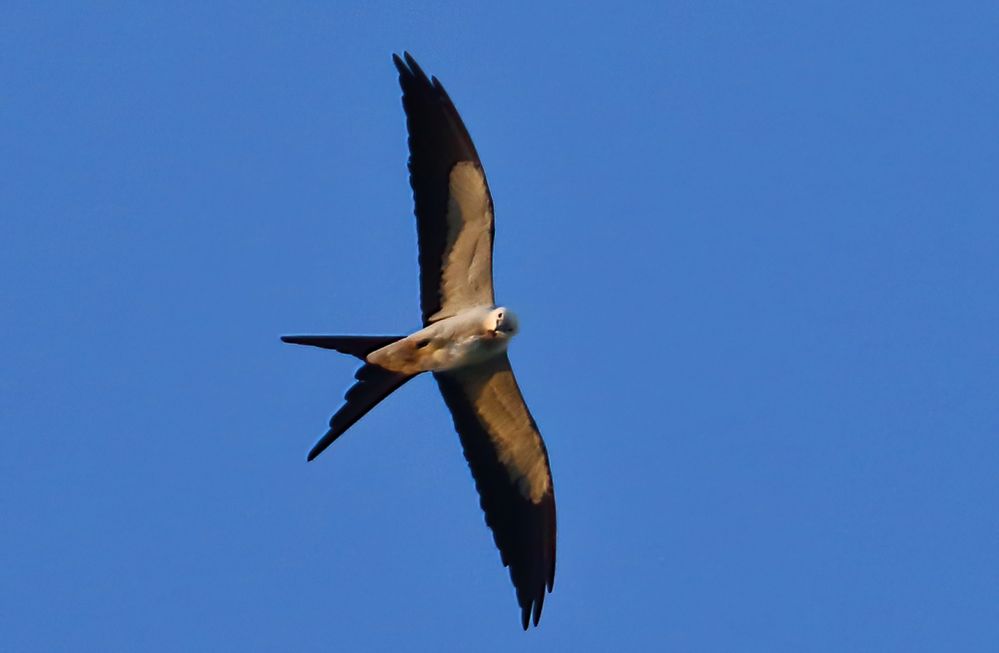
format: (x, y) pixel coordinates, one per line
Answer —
(463, 342)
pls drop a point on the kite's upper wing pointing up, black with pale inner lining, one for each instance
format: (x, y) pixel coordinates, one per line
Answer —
(454, 211)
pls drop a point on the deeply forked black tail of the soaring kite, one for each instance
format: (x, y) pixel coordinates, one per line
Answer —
(374, 383)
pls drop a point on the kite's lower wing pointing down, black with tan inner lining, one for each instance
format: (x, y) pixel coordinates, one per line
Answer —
(510, 465)
